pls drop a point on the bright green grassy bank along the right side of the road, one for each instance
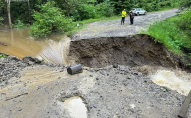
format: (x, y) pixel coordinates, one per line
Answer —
(175, 34)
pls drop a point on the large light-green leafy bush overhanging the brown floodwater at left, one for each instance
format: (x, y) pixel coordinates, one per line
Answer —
(48, 20)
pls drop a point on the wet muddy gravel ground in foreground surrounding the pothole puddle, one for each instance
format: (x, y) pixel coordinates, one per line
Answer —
(106, 92)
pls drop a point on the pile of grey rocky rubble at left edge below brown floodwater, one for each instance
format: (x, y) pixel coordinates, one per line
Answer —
(12, 66)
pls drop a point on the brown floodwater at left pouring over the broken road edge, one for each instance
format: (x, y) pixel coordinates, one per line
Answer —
(20, 44)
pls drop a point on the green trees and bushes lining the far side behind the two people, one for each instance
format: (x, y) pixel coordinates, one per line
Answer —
(68, 16)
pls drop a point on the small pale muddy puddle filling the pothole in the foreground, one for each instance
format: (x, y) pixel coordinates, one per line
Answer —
(76, 107)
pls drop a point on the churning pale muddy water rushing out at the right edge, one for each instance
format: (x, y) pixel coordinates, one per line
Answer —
(176, 80)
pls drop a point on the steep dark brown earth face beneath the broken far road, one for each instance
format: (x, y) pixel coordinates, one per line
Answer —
(137, 50)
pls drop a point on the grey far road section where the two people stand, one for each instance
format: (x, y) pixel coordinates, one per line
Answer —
(115, 29)
